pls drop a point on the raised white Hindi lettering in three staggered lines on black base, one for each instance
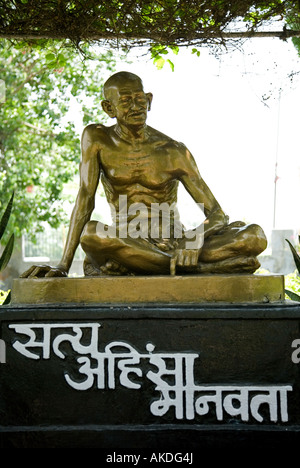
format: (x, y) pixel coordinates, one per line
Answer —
(120, 364)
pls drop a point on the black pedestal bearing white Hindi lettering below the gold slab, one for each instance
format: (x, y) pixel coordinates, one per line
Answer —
(165, 377)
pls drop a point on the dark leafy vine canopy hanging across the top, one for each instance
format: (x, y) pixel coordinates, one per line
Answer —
(123, 22)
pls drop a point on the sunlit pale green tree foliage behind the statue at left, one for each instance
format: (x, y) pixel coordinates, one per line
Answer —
(39, 145)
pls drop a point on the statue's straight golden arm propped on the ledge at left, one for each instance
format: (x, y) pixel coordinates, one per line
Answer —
(84, 205)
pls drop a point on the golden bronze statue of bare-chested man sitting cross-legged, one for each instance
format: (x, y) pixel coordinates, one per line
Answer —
(140, 169)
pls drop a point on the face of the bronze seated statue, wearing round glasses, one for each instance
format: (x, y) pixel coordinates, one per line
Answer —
(129, 103)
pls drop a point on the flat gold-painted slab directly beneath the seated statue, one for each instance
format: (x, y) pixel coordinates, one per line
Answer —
(150, 289)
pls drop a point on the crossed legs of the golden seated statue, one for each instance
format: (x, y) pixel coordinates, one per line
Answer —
(234, 249)
